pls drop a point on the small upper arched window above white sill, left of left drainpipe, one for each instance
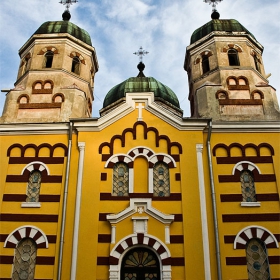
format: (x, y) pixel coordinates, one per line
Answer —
(34, 185)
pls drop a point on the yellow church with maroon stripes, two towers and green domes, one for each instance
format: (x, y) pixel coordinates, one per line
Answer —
(140, 192)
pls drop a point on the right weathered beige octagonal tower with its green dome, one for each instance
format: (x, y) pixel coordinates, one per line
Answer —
(227, 79)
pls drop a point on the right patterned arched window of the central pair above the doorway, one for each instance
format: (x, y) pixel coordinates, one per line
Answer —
(161, 179)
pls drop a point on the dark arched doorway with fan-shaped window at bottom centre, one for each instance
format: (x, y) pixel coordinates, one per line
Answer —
(140, 264)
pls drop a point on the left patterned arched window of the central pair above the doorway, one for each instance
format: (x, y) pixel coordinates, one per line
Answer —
(120, 179)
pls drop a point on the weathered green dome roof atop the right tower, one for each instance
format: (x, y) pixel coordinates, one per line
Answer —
(228, 25)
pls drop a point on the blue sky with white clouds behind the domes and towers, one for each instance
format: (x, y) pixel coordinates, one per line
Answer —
(119, 27)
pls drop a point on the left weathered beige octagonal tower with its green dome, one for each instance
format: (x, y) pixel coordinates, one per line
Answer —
(55, 77)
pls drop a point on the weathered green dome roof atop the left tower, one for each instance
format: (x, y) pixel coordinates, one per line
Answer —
(51, 27)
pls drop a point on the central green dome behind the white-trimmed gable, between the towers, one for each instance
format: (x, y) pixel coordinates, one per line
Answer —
(141, 84)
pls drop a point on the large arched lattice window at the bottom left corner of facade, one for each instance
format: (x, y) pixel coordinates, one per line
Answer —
(25, 260)
